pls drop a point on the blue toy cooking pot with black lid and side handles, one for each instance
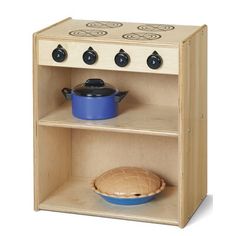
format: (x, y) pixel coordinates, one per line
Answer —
(94, 100)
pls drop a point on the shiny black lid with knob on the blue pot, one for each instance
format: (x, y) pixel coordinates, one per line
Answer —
(94, 88)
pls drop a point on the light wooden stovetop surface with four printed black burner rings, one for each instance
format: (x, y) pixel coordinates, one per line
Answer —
(118, 32)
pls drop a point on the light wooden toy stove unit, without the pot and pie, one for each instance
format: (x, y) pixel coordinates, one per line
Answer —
(161, 125)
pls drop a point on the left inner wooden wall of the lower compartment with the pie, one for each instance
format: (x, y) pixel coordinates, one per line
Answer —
(54, 159)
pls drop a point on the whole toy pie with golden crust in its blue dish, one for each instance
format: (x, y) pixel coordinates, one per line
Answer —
(128, 185)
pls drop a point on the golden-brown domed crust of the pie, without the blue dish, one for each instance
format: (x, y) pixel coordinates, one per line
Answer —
(128, 182)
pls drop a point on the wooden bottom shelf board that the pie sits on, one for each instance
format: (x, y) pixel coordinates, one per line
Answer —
(75, 196)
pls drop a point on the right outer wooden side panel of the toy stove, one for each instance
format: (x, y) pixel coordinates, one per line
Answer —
(193, 124)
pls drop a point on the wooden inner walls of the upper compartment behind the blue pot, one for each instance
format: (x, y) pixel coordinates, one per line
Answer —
(144, 88)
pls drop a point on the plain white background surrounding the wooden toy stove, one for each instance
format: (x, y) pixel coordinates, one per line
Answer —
(18, 20)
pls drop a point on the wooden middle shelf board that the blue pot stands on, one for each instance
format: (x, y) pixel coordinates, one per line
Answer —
(138, 118)
